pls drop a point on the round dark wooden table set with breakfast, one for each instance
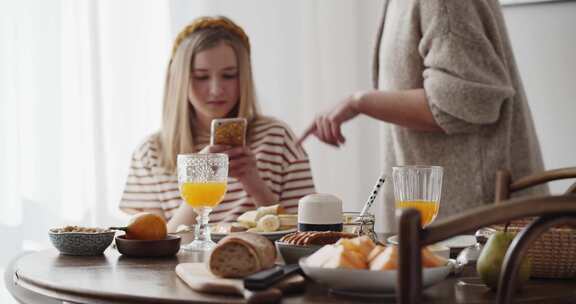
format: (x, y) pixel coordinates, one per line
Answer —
(113, 278)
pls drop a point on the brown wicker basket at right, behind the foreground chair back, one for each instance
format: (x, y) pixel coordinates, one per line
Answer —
(553, 254)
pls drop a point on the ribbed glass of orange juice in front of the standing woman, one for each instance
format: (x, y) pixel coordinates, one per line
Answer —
(418, 187)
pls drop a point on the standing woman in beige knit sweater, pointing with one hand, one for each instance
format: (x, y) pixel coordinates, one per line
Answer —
(450, 94)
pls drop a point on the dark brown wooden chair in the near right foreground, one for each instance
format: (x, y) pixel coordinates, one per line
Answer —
(550, 210)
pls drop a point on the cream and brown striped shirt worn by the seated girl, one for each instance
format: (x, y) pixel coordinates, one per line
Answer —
(283, 165)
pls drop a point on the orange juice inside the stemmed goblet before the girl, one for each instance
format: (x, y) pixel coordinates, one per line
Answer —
(203, 195)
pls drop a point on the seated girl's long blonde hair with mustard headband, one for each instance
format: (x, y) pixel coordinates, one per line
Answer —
(177, 134)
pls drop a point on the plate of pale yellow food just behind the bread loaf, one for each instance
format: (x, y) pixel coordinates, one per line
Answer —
(269, 221)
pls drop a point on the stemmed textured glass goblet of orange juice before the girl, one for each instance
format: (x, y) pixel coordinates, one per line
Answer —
(202, 180)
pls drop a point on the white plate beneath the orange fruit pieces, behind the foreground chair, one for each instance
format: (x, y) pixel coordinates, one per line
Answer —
(366, 280)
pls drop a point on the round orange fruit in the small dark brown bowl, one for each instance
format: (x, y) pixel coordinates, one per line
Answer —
(146, 226)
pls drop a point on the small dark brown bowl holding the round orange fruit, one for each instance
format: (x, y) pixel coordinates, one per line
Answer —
(157, 248)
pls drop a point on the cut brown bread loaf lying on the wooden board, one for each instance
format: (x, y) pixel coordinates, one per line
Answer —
(241, 254)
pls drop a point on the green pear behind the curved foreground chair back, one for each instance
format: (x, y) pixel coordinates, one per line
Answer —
(490, 261)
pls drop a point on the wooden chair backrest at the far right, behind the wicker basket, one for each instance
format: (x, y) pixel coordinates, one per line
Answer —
(505, 186)
